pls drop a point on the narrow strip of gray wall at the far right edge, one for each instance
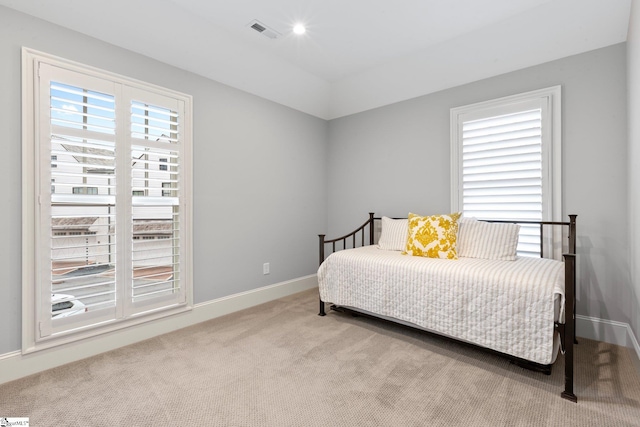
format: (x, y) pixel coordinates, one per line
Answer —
(633, 73)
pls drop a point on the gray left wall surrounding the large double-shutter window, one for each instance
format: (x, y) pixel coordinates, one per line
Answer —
(259, 172)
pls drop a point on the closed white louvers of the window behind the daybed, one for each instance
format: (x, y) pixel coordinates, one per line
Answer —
(502, 172)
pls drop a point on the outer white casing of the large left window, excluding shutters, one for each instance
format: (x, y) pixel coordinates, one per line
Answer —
(32, 226)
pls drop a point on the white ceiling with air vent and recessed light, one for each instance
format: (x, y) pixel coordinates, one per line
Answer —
(356, 54)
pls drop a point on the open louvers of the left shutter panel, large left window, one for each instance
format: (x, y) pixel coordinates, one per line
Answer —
(83, 190)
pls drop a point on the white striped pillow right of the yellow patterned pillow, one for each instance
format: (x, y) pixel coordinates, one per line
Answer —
(487, 240)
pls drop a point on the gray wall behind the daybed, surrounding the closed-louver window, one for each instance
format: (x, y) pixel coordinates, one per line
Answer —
(395, 159)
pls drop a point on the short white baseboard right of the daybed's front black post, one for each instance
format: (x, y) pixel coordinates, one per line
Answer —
(607, 331)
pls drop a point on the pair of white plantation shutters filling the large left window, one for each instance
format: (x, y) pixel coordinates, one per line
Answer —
(111, 239)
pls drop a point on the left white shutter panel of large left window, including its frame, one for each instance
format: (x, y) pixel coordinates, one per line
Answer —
(78, 225)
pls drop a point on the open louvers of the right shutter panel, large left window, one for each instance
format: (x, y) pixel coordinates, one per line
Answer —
(155, 180)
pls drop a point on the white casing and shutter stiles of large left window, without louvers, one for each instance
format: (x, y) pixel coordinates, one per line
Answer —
(39, 331)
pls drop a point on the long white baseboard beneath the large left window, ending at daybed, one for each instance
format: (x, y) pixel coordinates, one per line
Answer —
(15, 365)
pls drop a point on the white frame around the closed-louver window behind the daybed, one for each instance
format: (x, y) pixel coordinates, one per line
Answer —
(550, 101)
